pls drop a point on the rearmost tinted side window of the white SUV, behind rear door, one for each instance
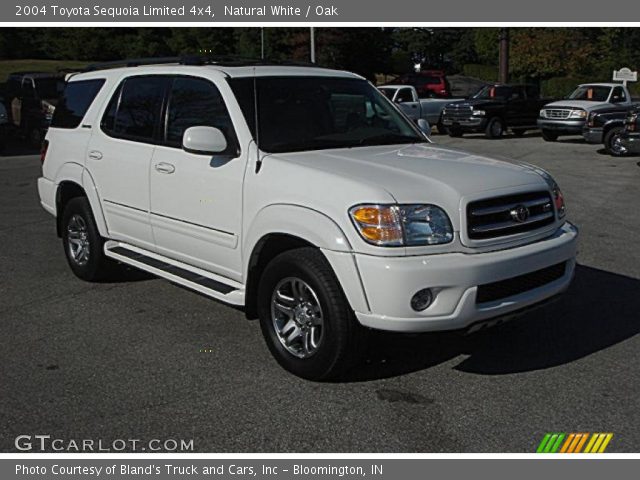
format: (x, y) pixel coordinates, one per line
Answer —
(74, 103)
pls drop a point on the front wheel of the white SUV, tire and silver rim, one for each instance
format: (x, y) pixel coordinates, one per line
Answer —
(300, 298)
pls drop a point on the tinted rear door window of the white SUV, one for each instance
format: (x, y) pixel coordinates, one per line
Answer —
(134, 110)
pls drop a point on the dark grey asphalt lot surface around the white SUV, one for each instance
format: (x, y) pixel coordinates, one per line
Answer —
(143, 359)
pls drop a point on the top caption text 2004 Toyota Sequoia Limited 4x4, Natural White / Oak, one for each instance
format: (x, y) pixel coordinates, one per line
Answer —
(277, 10)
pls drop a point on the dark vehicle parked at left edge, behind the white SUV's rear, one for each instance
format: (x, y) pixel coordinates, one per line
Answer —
(31, 98)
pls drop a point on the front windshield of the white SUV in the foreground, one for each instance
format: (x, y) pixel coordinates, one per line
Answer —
(317, 113)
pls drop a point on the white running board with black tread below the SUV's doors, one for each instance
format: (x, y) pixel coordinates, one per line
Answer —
(190, 277)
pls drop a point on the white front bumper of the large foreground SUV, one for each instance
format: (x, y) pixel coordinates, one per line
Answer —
(390, 282)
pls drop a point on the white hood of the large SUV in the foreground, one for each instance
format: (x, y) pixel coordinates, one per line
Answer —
(422, 173)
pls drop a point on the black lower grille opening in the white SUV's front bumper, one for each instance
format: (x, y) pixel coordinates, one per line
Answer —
(492, 292)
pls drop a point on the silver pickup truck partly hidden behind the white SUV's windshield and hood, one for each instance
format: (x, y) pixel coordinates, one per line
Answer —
(429, 109)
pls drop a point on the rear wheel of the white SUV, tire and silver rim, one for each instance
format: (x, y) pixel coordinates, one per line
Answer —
(83, 245)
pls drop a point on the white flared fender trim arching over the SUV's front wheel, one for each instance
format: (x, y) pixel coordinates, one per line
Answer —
(317, 229)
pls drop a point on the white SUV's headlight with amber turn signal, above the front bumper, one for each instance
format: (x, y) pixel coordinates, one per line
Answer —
(402, 225)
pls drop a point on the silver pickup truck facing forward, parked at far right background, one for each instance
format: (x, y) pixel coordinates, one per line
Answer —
(569, 116)
